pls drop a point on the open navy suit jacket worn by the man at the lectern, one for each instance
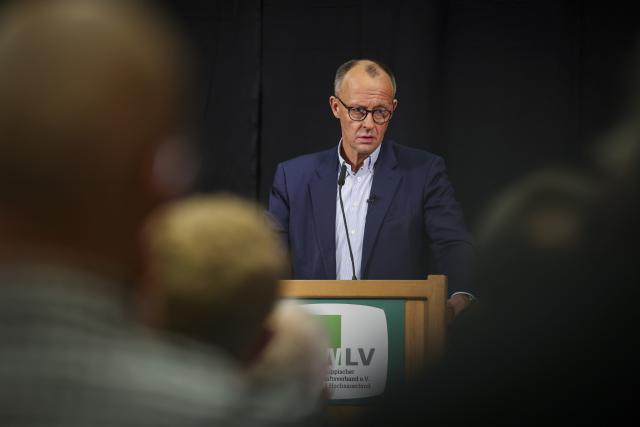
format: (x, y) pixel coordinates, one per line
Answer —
(414, 227)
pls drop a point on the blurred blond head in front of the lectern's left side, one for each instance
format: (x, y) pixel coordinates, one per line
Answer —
(214, 266)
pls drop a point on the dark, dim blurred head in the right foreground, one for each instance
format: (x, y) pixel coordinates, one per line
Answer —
(535, 231)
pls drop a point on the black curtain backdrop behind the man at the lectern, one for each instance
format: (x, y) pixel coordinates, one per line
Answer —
(498, 88)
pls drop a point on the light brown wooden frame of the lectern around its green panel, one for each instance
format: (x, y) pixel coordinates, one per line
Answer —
(424, 312)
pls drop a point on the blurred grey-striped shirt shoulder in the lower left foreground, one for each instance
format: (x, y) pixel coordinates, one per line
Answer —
(73, 353)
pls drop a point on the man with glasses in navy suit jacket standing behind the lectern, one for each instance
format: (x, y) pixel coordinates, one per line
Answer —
(403, 224)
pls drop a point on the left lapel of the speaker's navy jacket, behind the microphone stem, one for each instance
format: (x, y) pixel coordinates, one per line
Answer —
(322, 192)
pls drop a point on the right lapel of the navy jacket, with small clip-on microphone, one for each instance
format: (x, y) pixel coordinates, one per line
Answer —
(385, 182)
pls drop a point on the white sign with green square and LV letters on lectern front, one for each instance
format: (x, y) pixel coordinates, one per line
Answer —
(358, 349)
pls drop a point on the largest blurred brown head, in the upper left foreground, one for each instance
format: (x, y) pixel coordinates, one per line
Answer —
(90, 91)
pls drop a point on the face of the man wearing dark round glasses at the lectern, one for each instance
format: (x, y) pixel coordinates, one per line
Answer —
(361, 138)
